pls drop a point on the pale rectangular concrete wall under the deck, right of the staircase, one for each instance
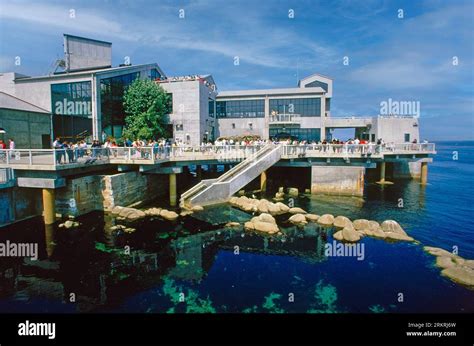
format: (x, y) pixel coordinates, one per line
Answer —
(337, 180)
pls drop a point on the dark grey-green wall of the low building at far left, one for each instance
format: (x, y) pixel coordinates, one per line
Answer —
(25, 128)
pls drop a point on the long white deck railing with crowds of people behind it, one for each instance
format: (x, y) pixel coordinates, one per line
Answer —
(222, 153)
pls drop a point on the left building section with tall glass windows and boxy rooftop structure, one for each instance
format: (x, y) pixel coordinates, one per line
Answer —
(86, 98)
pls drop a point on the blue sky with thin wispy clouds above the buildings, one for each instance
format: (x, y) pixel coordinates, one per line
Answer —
(408, 59)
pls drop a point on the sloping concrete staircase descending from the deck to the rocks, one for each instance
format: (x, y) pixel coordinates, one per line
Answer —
(212, 191)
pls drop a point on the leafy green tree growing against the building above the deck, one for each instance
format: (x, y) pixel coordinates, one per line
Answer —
(146, 105)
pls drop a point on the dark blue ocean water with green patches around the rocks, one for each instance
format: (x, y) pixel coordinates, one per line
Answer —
(196, 265)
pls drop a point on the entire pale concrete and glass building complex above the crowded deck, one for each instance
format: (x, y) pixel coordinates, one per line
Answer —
(85, 99)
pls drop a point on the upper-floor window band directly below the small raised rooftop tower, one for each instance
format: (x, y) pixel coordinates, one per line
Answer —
(307, 107)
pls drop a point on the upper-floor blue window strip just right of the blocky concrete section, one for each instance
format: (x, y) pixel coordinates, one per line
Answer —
(240, 109)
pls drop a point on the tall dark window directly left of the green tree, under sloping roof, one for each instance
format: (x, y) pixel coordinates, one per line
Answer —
(111, 97)
